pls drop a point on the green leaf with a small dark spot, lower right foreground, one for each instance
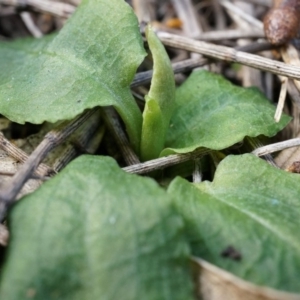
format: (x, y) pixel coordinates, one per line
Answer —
(253, 208)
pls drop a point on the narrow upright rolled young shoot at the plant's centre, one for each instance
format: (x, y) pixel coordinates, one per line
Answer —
(159, 102)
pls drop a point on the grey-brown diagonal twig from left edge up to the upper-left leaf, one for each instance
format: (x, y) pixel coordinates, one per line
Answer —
(52, 139)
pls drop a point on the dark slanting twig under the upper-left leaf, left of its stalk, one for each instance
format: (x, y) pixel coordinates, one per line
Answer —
(113, 124)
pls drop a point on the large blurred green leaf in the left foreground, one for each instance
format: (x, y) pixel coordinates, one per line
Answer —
(96, 232)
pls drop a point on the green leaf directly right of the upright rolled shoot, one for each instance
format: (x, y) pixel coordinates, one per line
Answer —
(213, 113)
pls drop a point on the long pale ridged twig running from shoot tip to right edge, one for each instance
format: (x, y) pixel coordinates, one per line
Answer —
(229, 54)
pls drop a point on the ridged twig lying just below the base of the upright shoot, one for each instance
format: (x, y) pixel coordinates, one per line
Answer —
(163, 162)
